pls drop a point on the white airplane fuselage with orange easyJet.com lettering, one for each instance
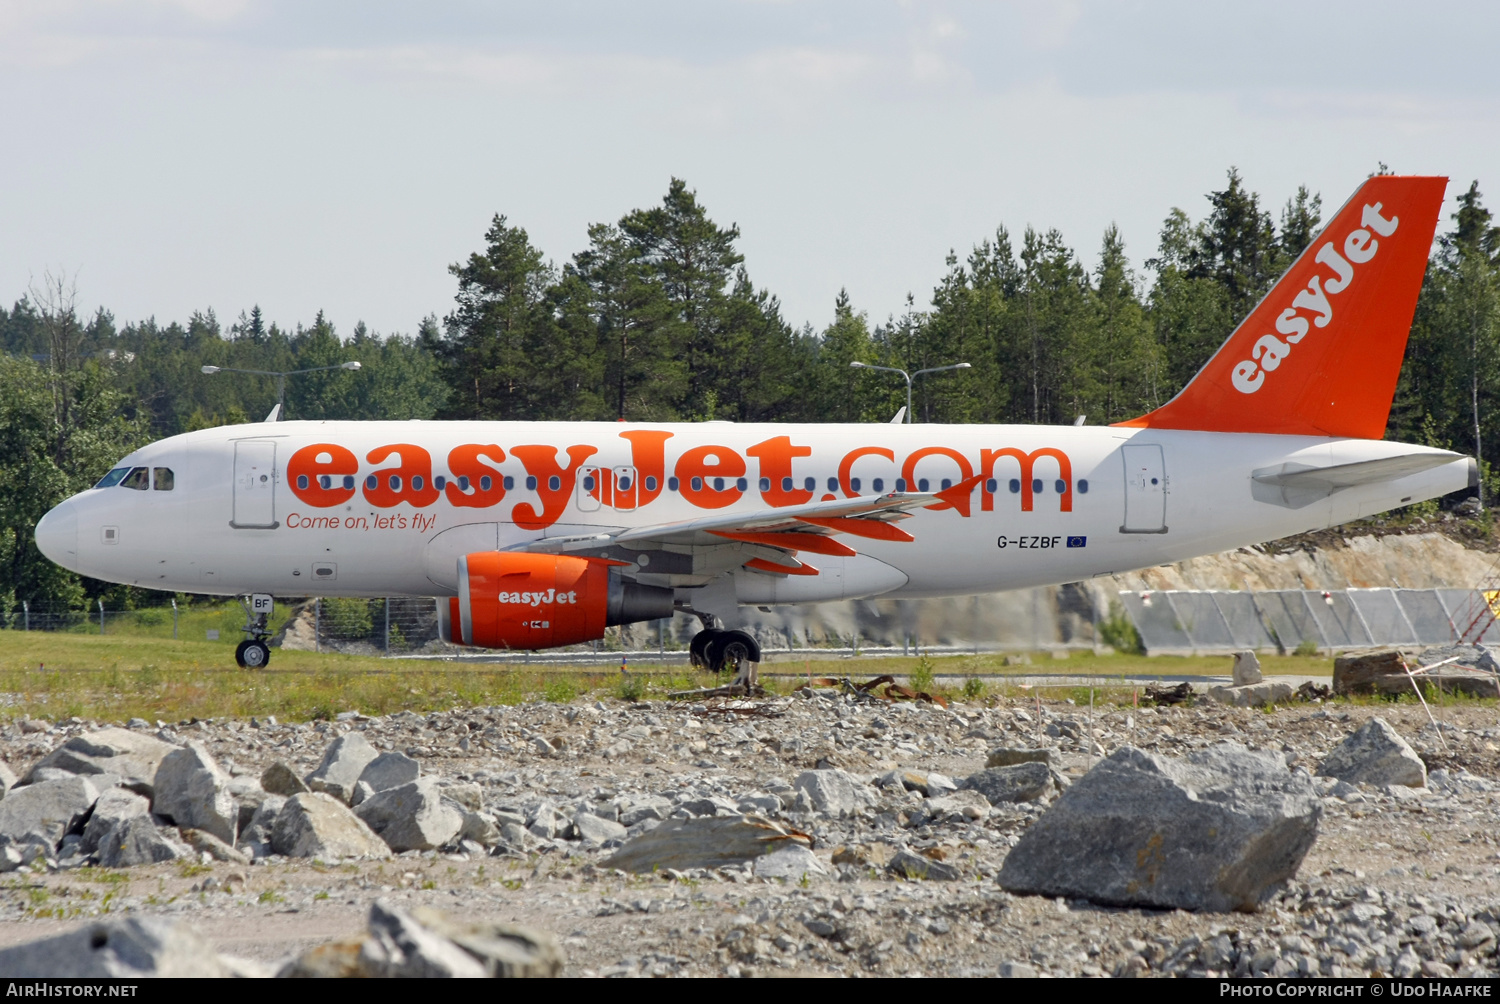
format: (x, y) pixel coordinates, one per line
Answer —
(238, 520)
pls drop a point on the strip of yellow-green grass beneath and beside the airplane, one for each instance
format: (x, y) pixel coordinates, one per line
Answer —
(118, 678)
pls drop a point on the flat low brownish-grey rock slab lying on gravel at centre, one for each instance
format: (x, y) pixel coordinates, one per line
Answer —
(703, 843)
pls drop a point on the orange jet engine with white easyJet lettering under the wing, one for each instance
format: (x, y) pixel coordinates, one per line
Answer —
(515, 600)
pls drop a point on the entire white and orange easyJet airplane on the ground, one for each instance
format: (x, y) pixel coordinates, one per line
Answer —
(535, 535)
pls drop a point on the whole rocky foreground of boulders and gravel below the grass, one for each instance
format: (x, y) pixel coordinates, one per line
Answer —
(820, 834)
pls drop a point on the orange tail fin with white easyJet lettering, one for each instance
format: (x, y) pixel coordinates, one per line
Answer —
(1322, 352)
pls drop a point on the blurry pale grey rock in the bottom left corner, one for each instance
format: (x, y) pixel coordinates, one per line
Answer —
(119, 948)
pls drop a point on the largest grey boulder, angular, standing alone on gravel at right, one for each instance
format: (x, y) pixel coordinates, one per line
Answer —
(1216, 831)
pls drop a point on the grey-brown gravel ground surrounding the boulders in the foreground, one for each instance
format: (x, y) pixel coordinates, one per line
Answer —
(1400, 882)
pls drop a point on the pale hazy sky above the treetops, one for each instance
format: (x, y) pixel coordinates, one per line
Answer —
(196, 154)
